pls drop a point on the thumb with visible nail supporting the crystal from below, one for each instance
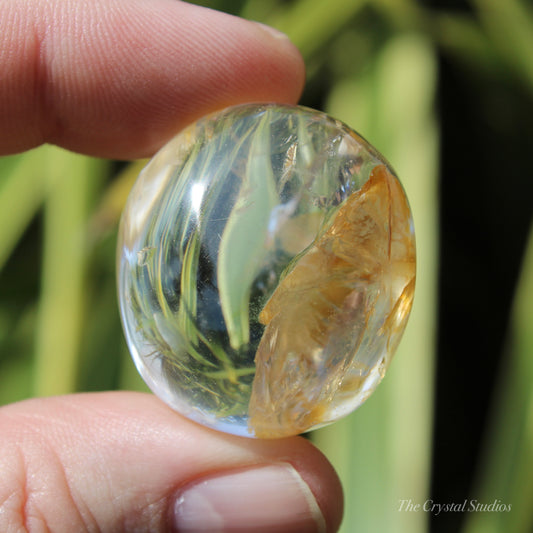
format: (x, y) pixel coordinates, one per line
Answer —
(126, 462)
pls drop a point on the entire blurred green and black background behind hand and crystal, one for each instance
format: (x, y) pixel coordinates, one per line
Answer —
(444, 88)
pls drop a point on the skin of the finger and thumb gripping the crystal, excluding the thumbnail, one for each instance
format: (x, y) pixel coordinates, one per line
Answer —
(118, 78)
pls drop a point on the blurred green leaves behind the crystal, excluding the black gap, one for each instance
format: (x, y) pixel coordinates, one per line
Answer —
(375, 65)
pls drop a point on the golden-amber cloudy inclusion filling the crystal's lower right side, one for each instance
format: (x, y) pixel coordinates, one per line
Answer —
(364, 259)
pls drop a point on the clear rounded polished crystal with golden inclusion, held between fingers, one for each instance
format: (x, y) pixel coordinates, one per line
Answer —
(266, 270)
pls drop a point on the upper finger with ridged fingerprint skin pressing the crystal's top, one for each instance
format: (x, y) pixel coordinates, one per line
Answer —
(117, 78)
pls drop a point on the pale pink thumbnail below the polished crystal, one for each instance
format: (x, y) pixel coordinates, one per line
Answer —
(264, 499)
